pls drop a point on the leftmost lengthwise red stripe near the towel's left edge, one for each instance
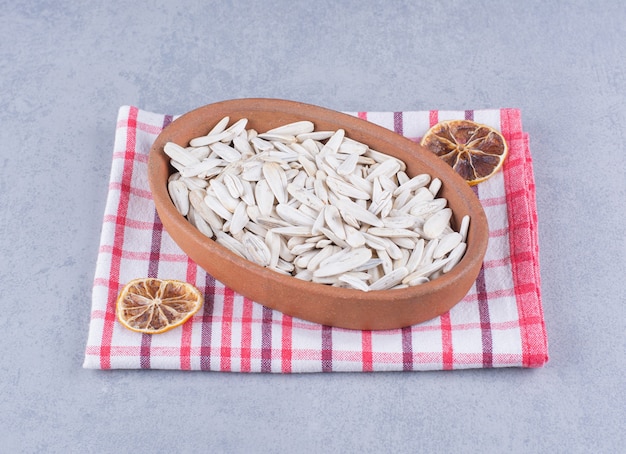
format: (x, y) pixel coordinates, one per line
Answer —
(118, 239)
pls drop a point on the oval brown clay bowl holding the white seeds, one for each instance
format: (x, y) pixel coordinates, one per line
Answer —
(346, 308)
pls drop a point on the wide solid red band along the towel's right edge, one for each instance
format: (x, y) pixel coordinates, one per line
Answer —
(520, 191)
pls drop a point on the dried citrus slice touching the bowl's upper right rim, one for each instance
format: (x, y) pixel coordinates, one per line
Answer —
(474, 151)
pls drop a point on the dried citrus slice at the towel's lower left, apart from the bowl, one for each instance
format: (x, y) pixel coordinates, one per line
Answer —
(154, 306)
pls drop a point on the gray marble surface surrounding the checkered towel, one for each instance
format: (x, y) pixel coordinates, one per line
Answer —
(67, 67)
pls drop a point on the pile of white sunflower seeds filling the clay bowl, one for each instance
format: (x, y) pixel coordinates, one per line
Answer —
(315, 205)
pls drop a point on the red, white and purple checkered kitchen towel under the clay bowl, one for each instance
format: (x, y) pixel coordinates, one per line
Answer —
(498, 324)
